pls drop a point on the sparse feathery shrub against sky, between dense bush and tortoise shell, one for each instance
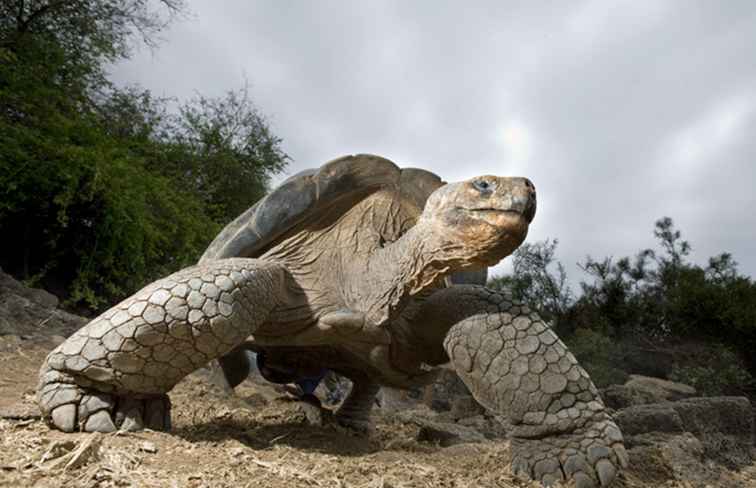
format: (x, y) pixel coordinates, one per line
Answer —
(219, 149)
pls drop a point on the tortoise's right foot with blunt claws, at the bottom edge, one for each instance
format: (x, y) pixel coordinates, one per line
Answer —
(591, 455)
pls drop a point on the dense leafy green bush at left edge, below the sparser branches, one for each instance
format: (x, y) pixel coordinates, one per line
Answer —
(87, 210)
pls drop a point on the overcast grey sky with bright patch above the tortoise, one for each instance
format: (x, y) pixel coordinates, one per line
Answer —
(619, 111)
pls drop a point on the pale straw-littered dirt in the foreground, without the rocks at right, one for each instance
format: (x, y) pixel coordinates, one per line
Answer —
(256, 438)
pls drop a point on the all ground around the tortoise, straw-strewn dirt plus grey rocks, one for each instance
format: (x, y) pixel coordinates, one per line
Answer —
(258, 436)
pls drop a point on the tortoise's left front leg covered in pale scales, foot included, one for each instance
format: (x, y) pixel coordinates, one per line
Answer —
(116, 370)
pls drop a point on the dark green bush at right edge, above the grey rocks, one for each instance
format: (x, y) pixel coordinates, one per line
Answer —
(664, 296)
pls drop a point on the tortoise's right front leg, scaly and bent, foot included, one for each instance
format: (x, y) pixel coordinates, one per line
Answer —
(516, 366)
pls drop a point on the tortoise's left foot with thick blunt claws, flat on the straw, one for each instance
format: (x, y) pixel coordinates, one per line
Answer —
(70, 407)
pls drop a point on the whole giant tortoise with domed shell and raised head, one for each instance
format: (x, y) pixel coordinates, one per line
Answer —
(349, 268)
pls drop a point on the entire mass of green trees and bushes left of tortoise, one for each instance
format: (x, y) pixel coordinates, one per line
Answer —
(103, 190)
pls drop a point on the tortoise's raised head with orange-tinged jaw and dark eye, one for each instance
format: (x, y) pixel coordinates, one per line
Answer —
(483, 219)
